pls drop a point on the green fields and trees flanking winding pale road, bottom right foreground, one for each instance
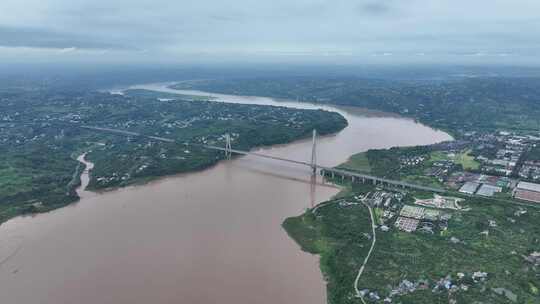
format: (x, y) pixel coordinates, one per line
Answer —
(337, 234)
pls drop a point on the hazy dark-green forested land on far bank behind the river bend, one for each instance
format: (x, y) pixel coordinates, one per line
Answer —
(455, 105)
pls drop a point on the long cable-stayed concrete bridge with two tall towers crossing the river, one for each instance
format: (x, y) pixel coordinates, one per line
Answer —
(354, 177)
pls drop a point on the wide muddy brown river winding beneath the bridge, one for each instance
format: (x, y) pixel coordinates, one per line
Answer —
(213, 236)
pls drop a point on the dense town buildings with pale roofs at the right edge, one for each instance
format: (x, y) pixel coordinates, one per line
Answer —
(501, 159)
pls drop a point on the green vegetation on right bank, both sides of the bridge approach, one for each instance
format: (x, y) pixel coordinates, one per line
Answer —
(492, 236)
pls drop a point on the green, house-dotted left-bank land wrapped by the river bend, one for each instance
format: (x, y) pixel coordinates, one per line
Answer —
(41, 136)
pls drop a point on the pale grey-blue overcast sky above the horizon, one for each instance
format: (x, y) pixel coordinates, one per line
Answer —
(499, 31)
